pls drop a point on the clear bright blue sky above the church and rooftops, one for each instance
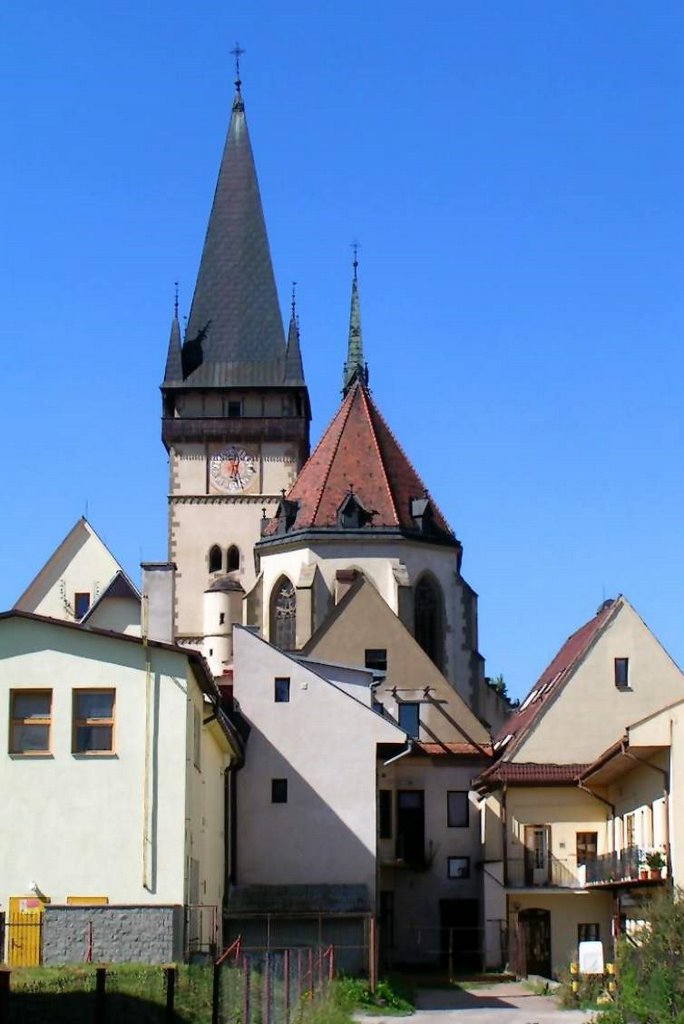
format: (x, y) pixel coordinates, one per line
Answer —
(514, 173)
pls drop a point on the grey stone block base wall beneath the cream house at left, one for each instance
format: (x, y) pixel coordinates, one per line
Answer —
(120, 934)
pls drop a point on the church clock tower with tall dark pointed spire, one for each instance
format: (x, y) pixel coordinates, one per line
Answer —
(236, 409)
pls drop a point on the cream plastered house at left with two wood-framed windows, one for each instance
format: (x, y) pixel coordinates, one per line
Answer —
(115, 756)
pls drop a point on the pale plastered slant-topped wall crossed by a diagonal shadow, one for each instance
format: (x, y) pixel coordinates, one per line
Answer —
(324, 743)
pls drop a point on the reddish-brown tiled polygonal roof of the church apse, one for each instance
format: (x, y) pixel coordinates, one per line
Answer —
(359, 454)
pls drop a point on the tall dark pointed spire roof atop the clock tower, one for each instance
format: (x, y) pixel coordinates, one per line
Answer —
(235, 331)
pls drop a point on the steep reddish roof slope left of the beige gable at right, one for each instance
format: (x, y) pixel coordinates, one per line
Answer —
(553, 679)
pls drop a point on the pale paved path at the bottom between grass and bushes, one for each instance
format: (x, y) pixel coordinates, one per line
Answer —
(508, 1003)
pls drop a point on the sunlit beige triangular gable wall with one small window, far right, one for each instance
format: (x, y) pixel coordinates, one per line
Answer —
(590, 712)
